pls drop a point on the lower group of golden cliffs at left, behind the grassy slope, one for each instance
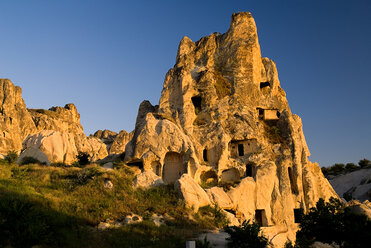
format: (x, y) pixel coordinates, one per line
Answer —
(23, 129)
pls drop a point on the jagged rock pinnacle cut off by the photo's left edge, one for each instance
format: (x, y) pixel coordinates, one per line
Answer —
(15, 121)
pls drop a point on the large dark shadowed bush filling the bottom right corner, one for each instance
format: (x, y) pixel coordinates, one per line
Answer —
(331, 222)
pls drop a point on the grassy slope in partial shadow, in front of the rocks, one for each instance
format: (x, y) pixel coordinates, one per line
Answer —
(61, 207)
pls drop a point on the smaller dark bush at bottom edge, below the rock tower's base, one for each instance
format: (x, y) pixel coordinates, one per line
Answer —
(246, 235)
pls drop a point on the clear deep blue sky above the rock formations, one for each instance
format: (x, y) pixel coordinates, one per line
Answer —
(107, 56)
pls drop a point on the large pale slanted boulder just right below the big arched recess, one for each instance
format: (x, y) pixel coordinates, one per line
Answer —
(192, 193)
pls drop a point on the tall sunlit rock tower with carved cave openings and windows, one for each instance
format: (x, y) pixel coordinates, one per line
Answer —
(223, 119)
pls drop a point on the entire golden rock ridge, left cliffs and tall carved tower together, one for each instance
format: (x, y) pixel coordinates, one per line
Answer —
(223, 134)
